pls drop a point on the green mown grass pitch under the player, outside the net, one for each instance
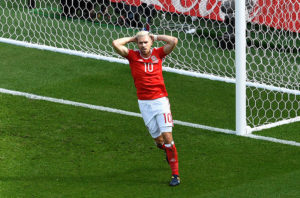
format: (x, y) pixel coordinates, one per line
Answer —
(52, 150)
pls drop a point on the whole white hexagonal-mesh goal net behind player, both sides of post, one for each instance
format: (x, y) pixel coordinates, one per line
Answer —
(205, 28)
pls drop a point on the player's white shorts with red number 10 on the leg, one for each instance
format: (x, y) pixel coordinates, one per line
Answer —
(157, 115)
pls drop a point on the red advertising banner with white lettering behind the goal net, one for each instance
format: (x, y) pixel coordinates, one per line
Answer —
(280, 14)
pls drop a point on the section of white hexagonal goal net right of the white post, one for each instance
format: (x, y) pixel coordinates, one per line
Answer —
(273, 60)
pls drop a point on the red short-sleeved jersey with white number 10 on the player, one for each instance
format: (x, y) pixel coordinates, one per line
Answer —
(147, 74)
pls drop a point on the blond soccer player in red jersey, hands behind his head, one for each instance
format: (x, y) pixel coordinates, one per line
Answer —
(146, 69)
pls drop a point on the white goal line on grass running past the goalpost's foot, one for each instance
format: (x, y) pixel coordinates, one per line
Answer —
(128, 113)
